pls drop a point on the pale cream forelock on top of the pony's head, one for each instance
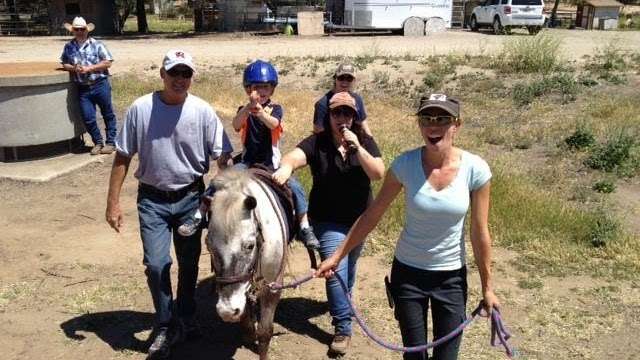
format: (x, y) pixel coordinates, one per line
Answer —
(228, 202)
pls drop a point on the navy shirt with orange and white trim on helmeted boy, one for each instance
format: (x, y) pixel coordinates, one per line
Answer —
(261, 144)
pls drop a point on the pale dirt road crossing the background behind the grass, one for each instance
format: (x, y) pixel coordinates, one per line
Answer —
(139, 52)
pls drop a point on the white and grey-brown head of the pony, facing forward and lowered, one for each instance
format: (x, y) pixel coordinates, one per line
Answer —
(234, 241)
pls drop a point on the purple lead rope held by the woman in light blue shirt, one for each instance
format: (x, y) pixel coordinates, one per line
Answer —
(498, 329)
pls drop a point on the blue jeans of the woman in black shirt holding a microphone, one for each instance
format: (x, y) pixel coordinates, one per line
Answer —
(331, 236)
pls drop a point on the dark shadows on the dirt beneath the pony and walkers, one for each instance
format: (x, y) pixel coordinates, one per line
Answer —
(119, 328)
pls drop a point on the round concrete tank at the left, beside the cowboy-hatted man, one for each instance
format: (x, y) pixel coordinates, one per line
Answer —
(39, 111)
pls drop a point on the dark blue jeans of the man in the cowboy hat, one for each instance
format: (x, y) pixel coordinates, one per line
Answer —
(98, 94)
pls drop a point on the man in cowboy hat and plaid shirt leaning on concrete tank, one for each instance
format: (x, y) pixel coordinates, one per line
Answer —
(88, 61)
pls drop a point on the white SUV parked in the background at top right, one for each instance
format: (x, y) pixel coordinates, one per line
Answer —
(502, 15)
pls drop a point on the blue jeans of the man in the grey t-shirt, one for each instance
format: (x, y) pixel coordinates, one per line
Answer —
(159, 221)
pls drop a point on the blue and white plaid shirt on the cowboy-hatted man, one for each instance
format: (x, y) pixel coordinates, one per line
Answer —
(91, 52)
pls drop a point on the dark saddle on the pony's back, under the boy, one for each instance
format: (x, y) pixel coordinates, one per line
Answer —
(283, 194)
